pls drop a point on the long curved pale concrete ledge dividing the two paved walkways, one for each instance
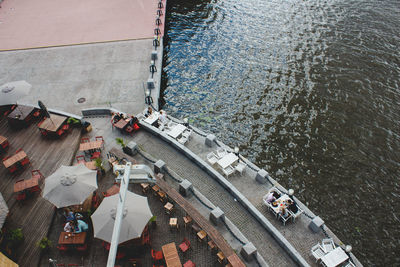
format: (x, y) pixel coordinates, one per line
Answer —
(282, 241)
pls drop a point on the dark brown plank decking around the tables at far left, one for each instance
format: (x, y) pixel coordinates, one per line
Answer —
(34, 215)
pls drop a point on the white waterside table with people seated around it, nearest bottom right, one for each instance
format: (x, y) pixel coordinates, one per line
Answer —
(282, 205)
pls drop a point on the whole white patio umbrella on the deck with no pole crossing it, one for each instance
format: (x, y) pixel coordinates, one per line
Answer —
(70, 185)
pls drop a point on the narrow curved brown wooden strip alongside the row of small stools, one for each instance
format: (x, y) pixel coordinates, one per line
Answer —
(198, 218)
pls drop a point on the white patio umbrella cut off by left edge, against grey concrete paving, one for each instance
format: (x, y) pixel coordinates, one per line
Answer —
(11, 92)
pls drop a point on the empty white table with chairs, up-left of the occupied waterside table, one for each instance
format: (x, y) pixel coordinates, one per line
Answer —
(226, 162)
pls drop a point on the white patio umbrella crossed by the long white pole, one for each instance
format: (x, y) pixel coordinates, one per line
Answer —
(135, 217)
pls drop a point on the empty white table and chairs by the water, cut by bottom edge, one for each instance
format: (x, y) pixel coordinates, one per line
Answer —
(328, 254)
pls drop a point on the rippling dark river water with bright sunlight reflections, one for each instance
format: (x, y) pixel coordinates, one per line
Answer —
(309, 91)
